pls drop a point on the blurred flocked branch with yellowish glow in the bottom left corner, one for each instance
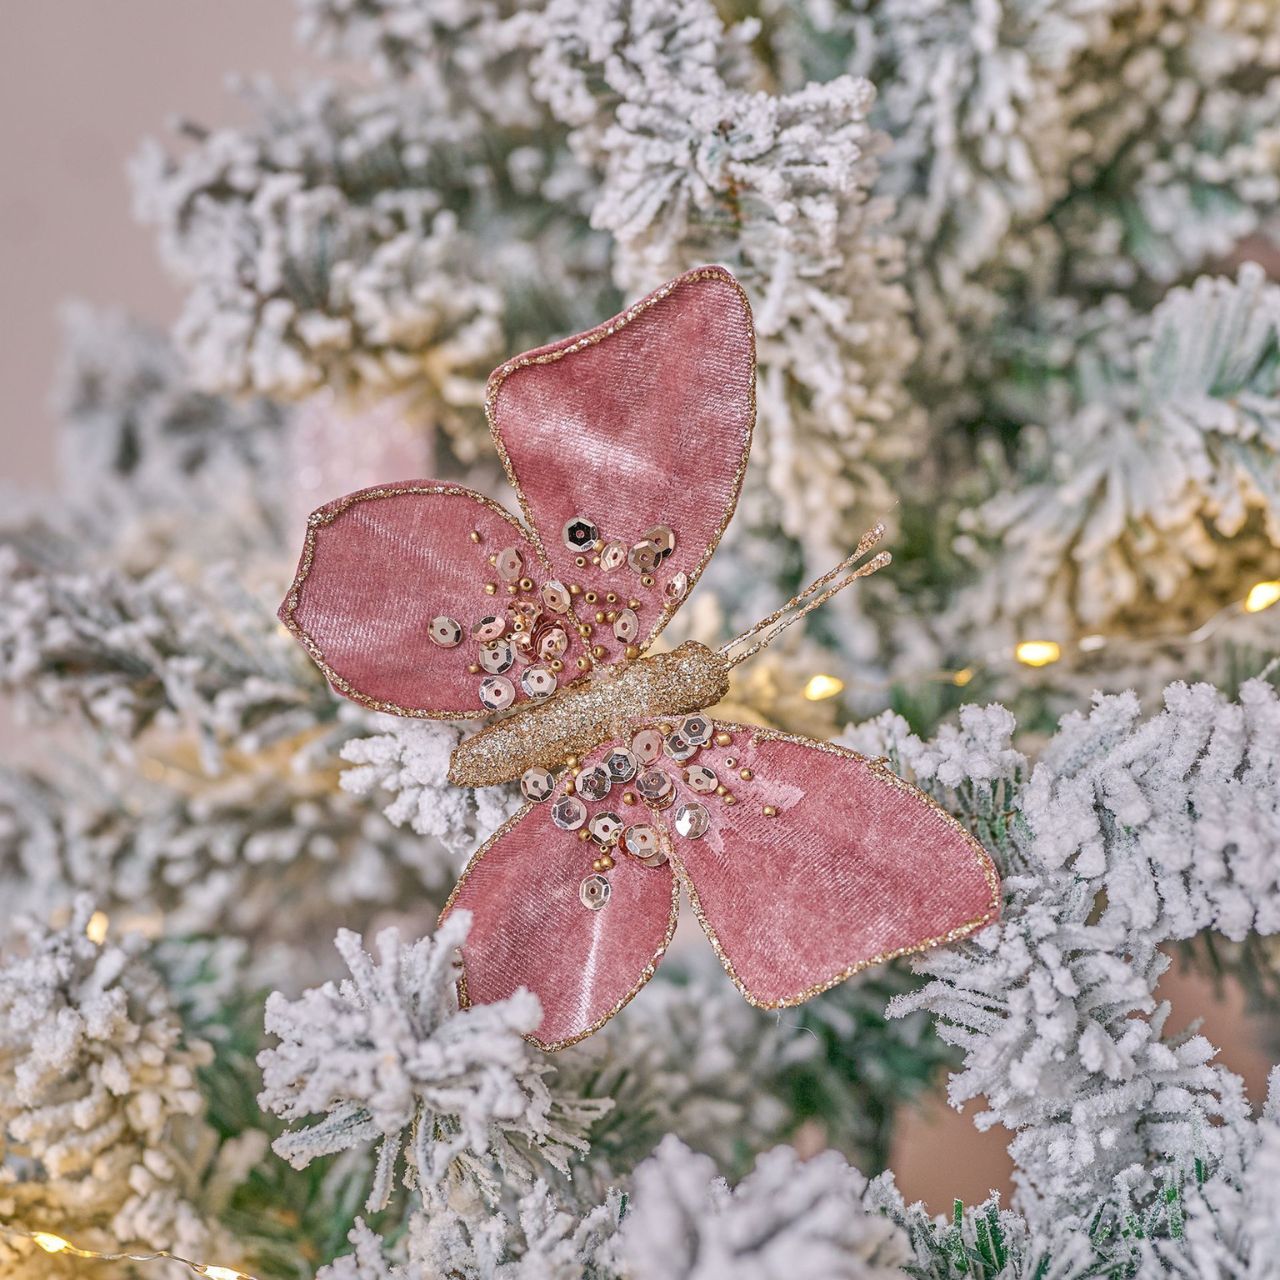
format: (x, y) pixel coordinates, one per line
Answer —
(102, 1118)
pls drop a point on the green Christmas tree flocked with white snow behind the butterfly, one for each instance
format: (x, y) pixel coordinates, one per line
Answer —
(999, 257)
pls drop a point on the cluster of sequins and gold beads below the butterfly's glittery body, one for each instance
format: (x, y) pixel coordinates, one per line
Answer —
(650, 770)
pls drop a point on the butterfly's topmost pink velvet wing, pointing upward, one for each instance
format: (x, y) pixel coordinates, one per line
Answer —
(643, 422)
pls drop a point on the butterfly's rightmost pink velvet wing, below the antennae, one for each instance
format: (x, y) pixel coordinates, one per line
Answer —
(824, 865)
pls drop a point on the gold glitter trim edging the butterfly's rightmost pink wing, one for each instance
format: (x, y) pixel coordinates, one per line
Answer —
(982, 857)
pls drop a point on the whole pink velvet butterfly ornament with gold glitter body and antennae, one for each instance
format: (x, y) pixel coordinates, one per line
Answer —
(627, 447)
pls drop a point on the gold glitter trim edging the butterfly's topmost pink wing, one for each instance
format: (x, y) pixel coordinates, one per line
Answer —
(589, 340)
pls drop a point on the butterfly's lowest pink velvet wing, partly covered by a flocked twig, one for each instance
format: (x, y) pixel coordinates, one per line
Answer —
(532, 930)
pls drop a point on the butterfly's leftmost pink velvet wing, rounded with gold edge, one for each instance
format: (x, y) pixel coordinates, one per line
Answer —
(378, 566)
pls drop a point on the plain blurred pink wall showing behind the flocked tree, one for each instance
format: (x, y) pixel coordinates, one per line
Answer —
(81, 84)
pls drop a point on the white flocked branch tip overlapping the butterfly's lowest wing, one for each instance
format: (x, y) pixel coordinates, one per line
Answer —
(388, 1057)
